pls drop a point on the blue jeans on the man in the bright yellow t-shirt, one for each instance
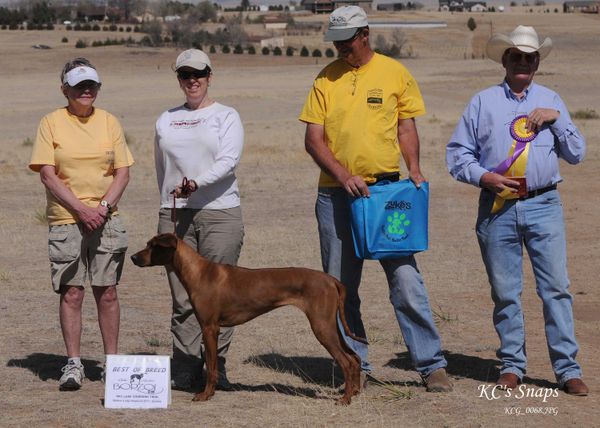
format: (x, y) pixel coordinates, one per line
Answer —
(407, 291)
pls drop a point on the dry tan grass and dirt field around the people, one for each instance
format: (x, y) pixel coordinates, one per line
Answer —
(281, 375)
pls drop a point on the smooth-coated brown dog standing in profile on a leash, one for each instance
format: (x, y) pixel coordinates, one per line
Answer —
(225, 295)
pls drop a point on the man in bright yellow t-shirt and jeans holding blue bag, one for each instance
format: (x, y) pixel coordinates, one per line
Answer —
(359, 120)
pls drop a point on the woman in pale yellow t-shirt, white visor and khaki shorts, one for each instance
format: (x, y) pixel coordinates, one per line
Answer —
(83, 161)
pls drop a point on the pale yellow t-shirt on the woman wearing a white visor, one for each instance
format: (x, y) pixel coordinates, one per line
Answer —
(84, 151)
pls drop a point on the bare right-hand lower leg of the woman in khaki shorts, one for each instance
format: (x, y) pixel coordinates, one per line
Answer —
(109, 314)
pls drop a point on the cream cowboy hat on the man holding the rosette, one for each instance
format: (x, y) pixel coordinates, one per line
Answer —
(523, 38)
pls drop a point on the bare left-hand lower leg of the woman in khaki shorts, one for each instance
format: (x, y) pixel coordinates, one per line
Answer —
(71, 300)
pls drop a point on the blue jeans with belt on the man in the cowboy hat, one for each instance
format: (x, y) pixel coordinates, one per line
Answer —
(538, 224)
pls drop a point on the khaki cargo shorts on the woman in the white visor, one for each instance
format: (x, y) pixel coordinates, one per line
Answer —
(96, 257)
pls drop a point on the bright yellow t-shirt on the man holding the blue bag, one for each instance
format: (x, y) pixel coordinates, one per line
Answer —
(359, 109)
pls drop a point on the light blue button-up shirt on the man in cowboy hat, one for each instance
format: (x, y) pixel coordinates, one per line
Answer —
(482, 137)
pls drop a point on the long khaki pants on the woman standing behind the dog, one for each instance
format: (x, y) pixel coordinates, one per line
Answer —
(218, 236)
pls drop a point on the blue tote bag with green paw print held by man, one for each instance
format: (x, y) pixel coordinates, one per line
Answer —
(393, 222)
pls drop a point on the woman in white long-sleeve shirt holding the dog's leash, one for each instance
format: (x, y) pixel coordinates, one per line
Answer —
(201, 140)
